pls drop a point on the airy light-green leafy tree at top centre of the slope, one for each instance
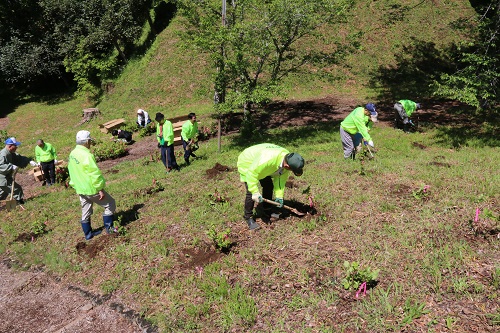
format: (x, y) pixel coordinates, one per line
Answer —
(258, 44)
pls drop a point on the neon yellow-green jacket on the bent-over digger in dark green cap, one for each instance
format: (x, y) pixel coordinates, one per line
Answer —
(262, 160)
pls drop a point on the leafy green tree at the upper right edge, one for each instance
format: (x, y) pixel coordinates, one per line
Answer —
(477, 74)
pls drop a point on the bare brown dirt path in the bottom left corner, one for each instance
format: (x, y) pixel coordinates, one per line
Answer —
(35, 302)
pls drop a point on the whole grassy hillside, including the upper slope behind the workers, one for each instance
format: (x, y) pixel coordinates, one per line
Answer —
(408, 213)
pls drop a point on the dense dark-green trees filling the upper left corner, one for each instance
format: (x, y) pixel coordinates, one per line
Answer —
(88, 40)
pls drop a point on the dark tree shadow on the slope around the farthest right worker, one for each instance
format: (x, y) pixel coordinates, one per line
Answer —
(418, 66)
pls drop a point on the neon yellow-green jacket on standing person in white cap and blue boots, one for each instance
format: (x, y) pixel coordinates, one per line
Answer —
(86, 178)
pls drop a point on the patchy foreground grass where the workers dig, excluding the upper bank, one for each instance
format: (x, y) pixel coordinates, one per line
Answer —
(418, 244)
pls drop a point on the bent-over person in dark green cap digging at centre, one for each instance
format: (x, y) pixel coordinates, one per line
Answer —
(268, 164)
